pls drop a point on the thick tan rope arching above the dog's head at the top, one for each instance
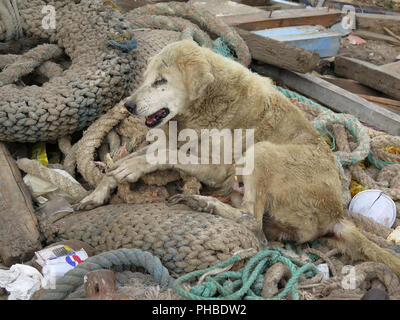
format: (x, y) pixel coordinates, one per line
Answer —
(204, 19)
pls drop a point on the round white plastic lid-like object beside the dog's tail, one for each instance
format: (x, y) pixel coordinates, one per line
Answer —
(376, 205)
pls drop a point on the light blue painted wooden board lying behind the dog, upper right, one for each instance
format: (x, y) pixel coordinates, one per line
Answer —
(314, 38)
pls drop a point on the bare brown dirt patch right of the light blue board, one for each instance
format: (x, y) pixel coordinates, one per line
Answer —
(376, 52)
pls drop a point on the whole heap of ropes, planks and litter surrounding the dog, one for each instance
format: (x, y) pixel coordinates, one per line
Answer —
(63, 125)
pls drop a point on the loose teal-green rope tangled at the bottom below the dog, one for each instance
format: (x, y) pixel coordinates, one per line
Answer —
(249, 280)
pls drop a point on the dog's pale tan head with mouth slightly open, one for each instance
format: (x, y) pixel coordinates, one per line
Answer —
(174, 78)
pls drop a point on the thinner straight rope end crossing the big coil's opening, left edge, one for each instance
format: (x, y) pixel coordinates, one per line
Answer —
(27, 62)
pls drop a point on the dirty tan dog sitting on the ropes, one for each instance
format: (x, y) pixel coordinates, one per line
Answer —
(294, 192)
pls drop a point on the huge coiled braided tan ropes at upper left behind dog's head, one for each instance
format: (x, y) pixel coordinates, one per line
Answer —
(105, 68)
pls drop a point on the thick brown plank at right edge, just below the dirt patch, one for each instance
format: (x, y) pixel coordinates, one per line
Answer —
(369, 74)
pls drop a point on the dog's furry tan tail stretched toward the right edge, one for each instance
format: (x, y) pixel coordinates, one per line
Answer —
(352, 242)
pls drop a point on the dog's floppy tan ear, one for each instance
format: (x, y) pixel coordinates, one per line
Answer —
(196, 74)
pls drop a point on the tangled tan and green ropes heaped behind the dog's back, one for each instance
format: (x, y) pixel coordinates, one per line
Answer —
(367, 158)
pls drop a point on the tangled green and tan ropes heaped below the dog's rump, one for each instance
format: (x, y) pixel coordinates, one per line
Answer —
(281, 274)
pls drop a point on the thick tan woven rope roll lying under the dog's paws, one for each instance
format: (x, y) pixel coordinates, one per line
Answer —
(183, 239)
